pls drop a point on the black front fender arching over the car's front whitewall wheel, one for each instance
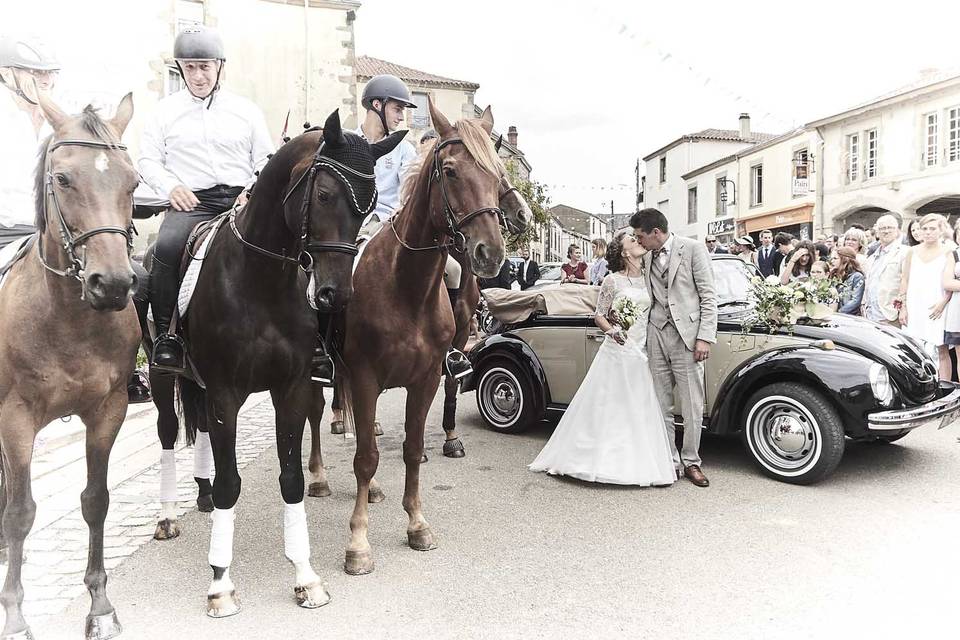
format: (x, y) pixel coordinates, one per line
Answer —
(842, 376)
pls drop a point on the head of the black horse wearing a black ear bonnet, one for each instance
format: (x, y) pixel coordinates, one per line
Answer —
(333, 204)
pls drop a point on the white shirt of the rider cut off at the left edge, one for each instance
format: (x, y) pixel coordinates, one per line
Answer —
(19, 154)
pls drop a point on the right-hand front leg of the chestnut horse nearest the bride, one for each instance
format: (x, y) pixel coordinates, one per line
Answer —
(419, 398)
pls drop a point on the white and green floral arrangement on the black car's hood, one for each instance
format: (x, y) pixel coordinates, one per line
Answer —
(780, 305)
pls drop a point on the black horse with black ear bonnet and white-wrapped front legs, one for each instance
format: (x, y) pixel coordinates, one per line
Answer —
(252, 324)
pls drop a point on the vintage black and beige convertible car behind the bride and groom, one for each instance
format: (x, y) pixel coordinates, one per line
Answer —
(794, 395)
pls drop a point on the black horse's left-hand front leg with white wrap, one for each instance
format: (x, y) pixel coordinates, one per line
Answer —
(222, 600)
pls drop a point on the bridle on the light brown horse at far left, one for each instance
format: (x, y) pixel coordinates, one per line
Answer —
(70, 242)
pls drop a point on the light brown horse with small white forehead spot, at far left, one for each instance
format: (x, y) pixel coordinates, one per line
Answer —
(68, 335)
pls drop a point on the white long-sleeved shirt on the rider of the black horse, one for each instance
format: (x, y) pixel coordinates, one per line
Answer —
(187, 143)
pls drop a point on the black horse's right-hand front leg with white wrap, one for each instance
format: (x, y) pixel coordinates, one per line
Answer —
(292, 408)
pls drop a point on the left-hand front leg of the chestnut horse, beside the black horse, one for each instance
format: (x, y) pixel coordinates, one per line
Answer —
(359, 556)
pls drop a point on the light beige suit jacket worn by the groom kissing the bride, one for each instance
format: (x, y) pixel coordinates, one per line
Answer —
(692, 295)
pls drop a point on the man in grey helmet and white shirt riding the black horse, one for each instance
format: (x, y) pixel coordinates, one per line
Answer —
(202, 149)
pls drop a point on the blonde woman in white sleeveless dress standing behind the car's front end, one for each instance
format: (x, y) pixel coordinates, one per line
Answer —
(922, 295)
